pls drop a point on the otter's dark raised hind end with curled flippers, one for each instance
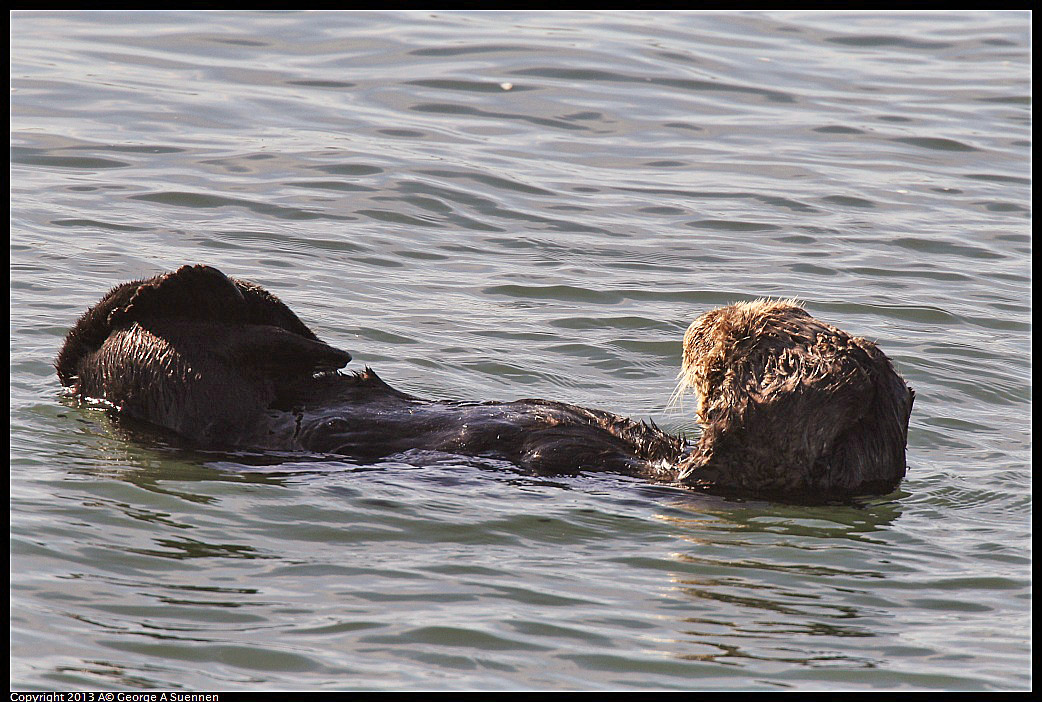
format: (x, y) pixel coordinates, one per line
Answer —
(193, 352)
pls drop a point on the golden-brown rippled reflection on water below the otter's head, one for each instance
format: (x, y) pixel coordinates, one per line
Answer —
(775, 580)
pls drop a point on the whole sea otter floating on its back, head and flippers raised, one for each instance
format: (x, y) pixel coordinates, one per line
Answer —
(792, 409)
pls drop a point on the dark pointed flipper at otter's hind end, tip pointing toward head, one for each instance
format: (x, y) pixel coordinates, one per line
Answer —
(277, 353)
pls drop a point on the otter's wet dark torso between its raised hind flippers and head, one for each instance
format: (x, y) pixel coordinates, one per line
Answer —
(363, 417)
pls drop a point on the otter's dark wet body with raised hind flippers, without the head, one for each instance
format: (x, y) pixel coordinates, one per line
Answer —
(226, 364)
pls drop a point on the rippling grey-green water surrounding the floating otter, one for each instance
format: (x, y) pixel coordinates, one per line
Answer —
(501, 206)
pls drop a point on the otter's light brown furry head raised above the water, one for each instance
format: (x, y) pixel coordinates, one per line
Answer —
(791, 406)
